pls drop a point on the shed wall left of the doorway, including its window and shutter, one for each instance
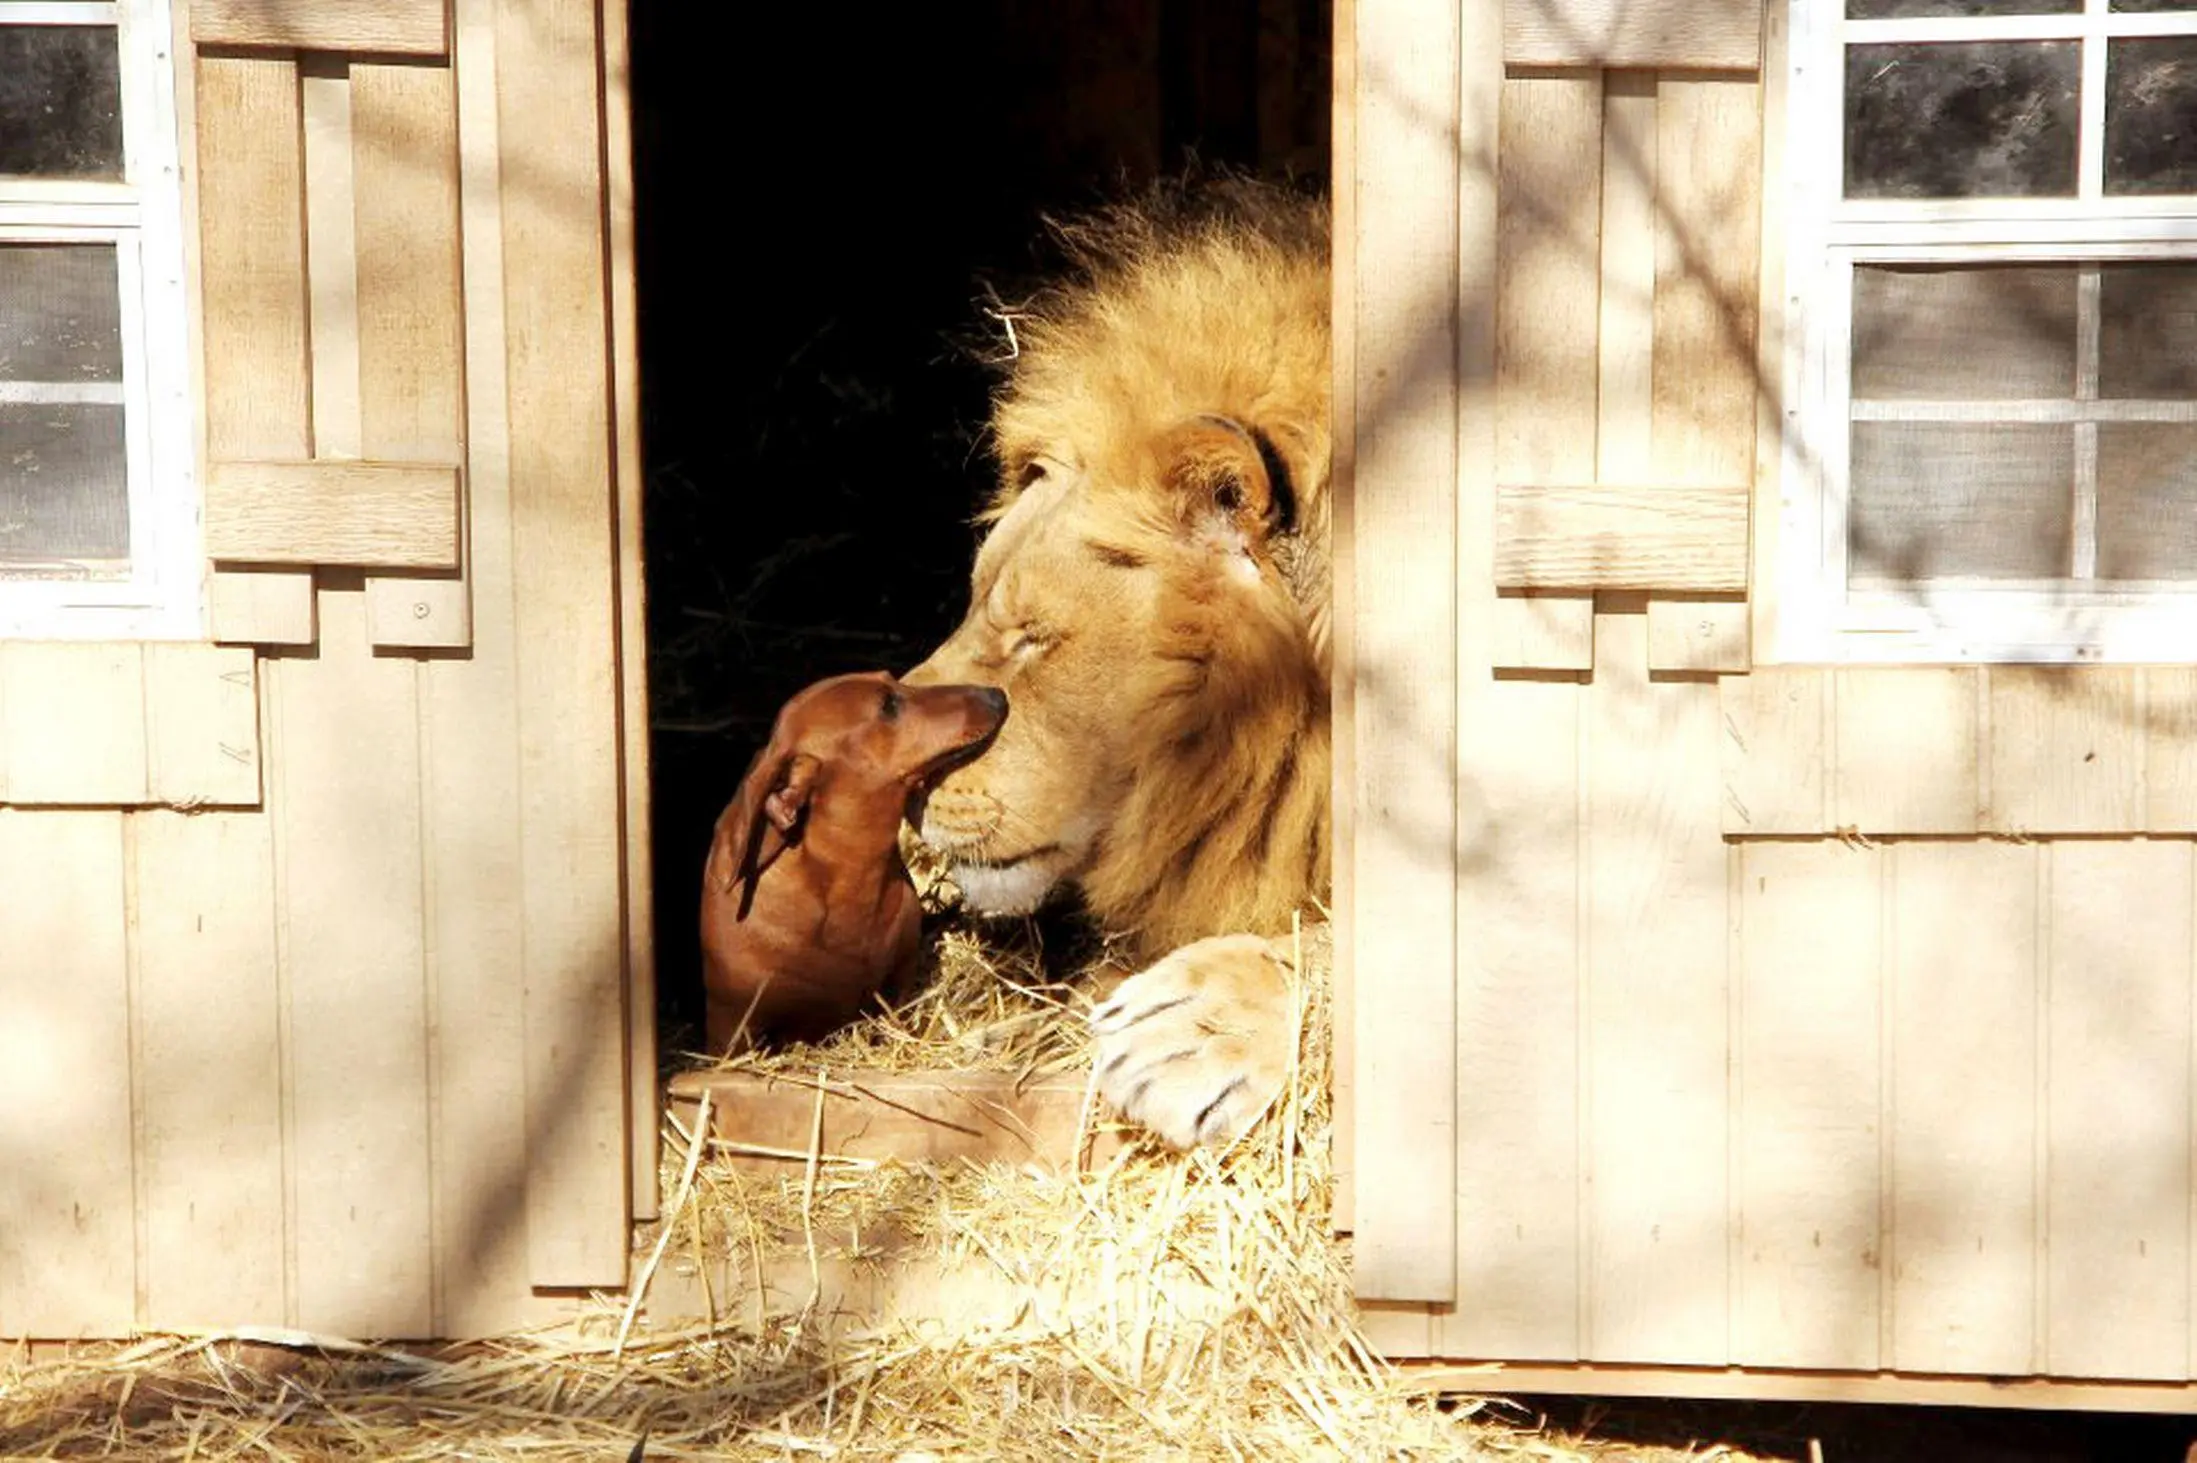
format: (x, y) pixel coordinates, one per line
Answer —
(324, 941)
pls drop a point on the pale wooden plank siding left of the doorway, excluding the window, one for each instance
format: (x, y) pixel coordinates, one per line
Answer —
(361, 1034)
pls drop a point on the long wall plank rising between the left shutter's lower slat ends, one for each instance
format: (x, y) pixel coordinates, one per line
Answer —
(357, 1027)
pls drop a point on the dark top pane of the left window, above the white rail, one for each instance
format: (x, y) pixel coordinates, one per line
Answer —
(60, 102)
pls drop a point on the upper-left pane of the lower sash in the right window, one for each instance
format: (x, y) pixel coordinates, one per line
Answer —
(1983, 333)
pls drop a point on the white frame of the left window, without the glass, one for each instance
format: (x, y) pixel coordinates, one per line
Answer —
(142, 216)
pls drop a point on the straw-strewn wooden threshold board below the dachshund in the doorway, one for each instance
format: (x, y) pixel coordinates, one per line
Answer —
(908, 1117)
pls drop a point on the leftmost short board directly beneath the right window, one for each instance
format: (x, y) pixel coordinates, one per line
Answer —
(1776, 752)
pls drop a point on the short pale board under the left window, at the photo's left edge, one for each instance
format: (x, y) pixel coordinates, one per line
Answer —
(76, 724)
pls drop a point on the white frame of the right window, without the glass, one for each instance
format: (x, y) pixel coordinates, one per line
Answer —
(1820, 618)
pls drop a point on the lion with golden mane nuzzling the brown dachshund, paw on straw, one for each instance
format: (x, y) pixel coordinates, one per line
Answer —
(1152, 594)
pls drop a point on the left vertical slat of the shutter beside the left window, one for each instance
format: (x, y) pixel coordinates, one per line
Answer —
(252, 247)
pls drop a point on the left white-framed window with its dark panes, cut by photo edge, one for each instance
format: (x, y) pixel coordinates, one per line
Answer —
(98, 498)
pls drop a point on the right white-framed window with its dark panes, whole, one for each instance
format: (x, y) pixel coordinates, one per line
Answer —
(1992, 289)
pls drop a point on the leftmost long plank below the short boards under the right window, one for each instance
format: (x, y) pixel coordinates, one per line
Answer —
(1811, 1108)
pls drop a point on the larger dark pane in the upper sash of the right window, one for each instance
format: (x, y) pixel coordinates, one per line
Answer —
(1974, 120)
